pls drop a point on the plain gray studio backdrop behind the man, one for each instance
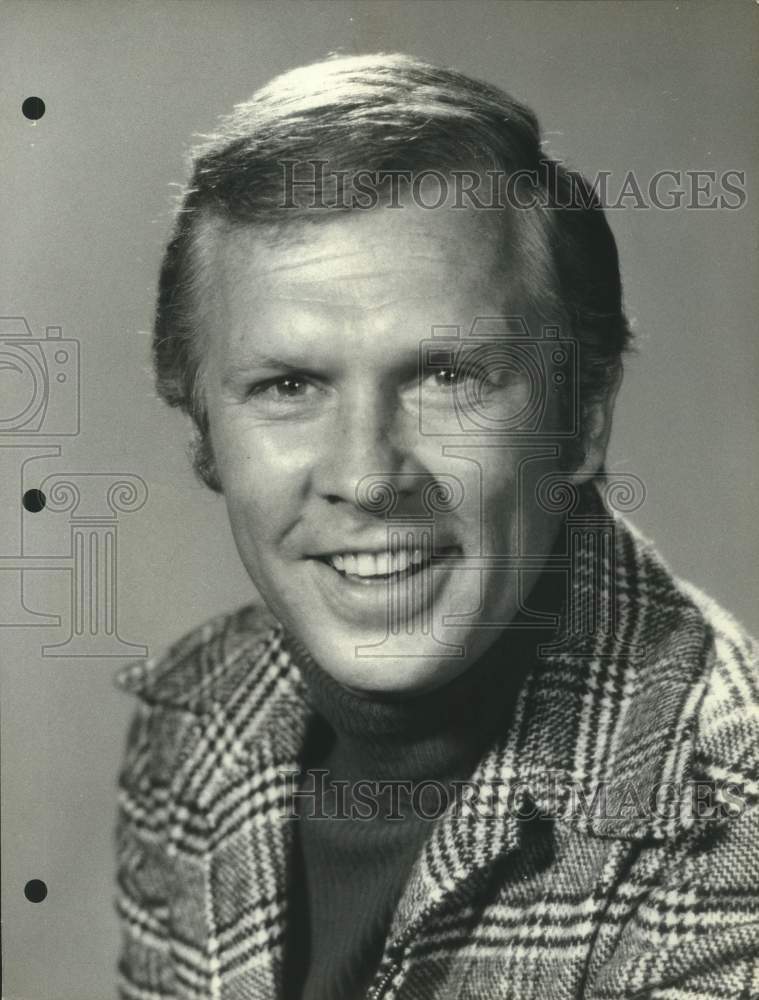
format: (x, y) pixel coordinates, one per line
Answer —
(86, 202)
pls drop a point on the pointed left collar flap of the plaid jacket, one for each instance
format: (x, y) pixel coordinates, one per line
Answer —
(202, 668)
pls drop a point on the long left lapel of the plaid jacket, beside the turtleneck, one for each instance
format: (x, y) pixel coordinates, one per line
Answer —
(230, 836)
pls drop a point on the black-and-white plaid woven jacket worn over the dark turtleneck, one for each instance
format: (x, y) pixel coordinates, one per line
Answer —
(553, 900)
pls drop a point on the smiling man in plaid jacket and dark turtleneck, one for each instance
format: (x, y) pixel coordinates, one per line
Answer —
(479, 743)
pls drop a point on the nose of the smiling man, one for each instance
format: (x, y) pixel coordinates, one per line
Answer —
(367, 437)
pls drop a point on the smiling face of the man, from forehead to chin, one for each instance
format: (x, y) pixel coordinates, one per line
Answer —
(314, 390)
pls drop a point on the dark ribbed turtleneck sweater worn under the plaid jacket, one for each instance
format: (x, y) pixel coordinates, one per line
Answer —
(349, 871)
